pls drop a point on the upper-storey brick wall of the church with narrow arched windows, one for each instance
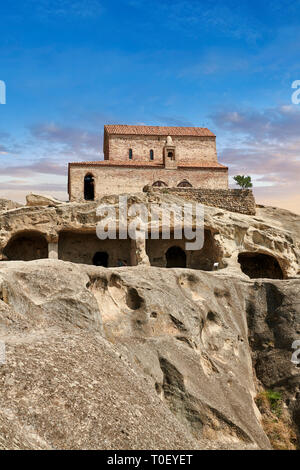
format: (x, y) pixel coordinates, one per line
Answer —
(188, 149)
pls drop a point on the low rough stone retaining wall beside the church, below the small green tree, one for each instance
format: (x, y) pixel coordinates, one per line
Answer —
(234, 200)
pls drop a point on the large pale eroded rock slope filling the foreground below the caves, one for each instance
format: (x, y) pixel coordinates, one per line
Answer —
(137, 357)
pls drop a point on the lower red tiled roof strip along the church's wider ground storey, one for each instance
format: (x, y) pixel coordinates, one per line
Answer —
(137, 164)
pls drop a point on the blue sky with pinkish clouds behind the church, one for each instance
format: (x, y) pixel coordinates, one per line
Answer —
(72, 66)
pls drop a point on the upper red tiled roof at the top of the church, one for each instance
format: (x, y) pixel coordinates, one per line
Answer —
(157, 130)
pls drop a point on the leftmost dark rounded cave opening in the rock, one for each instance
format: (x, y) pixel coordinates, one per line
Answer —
(26, 246)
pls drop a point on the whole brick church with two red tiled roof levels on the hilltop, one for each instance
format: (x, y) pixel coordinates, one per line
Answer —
(136, 156)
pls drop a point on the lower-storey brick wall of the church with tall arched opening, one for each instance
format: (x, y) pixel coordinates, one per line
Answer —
(118, 180)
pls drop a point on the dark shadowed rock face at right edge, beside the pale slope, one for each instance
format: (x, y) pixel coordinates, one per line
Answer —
(273, 316)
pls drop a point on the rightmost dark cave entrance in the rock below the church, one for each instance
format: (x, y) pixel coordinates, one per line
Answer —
(259, 265)
